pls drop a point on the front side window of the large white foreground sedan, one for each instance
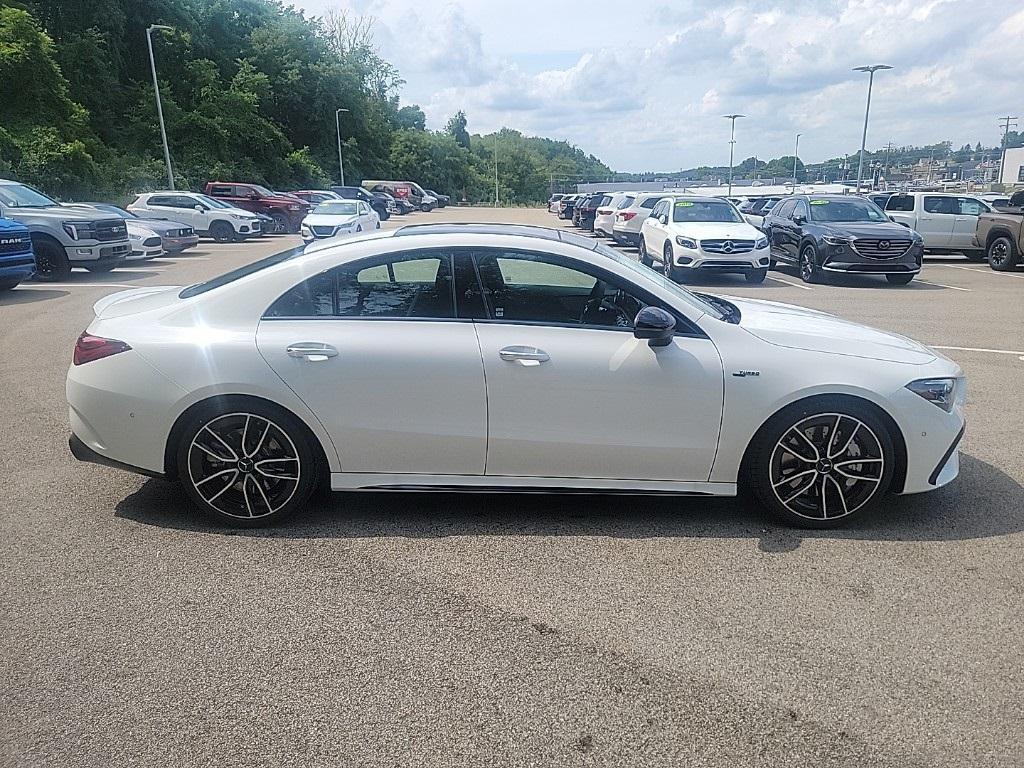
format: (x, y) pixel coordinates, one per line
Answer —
(543, 288)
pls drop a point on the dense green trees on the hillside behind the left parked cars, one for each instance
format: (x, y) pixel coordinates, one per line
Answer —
(249, 92)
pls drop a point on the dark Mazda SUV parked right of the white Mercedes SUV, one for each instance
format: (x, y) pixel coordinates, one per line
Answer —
(841, 234)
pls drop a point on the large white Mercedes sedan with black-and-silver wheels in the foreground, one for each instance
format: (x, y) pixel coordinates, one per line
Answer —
(482, 357)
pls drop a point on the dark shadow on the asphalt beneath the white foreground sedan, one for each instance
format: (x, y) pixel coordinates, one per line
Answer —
(984, 502)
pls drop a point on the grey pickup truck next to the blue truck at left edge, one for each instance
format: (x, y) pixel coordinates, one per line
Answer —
(63, 238)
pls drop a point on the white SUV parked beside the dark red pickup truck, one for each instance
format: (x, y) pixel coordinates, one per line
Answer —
(208, 217)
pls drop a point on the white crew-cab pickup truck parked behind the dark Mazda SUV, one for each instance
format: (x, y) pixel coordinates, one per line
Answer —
(947, 223)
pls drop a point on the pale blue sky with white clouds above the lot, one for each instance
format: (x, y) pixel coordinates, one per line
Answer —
(644, 87)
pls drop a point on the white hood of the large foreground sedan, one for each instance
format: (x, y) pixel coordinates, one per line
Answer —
(797, 328)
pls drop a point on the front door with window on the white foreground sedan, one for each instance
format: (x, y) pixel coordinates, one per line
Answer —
(573, 394)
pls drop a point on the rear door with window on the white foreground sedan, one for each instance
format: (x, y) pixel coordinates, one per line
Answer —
(374, 350)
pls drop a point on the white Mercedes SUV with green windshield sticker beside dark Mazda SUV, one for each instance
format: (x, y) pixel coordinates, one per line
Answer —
(688, 235)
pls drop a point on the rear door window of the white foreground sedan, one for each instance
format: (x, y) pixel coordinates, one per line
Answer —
(410, 285)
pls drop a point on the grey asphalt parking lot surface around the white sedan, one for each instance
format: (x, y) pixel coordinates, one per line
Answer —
(407, 630)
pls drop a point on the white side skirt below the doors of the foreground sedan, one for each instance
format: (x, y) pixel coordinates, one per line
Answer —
(496, 484)
